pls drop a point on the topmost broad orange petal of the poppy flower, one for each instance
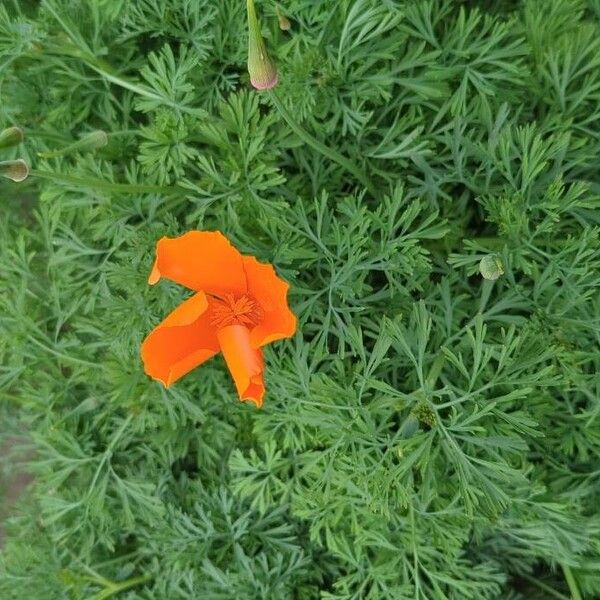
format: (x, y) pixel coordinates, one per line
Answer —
(201, 260)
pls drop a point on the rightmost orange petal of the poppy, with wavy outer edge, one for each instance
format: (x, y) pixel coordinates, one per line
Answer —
(271, 293)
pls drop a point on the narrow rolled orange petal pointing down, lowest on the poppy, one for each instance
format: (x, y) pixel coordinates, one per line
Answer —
(245, 363)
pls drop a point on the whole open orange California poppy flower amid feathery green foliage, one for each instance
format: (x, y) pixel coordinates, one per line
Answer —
(239, 306)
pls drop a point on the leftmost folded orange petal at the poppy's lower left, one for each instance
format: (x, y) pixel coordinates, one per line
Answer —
(184, 340)
